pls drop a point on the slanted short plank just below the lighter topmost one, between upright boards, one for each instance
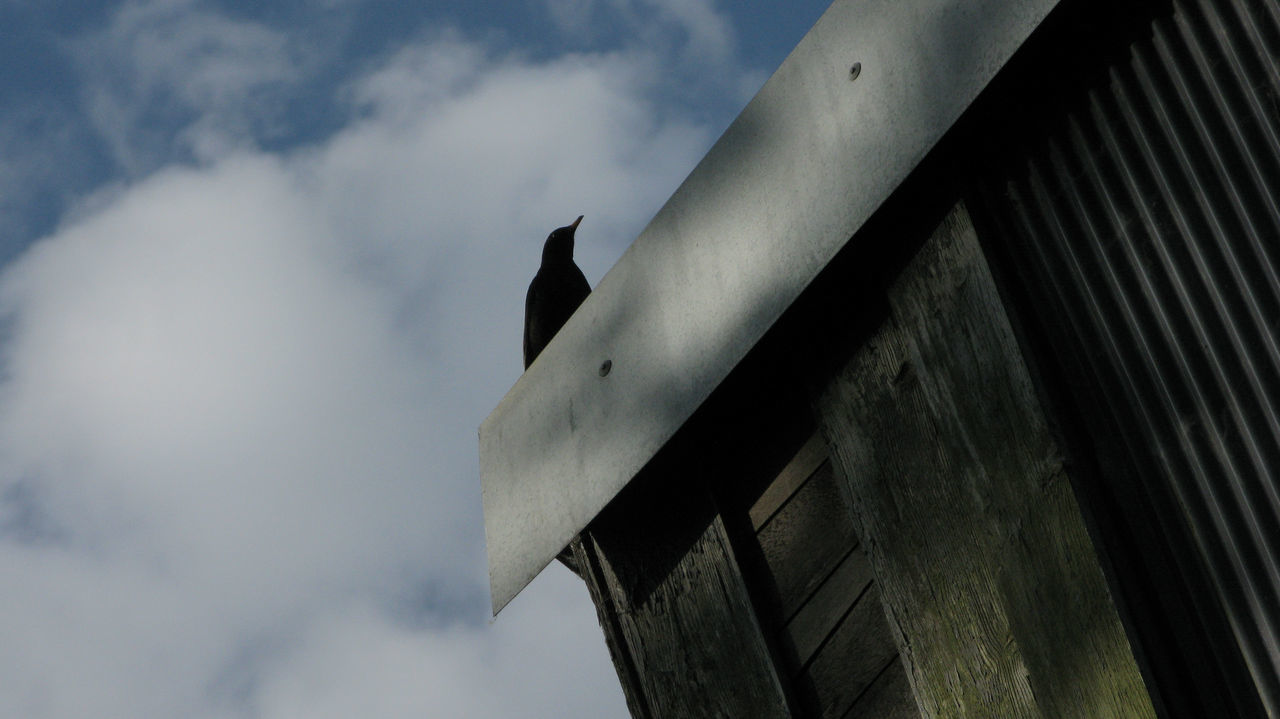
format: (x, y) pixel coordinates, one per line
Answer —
(807, 538)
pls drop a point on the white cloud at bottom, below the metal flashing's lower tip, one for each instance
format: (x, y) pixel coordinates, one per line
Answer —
(525, 666)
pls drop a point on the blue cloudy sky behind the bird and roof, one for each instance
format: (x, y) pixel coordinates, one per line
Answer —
(262, 277)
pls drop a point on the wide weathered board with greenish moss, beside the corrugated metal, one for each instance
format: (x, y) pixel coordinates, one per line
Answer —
(991, 583)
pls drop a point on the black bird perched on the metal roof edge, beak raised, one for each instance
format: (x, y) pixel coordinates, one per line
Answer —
(556, 292)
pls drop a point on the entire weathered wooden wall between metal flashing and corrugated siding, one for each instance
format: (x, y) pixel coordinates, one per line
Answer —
(926, 560)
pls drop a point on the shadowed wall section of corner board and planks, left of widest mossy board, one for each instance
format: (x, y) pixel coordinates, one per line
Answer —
(733, 585)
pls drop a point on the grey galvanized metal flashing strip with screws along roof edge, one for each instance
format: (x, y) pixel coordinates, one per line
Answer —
(802, 168)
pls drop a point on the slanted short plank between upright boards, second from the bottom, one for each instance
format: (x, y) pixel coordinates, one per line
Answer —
(849, 662)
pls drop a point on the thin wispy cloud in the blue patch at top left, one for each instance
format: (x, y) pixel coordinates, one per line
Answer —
(170, 76)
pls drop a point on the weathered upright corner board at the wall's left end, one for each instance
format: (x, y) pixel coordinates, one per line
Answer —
(682, 626)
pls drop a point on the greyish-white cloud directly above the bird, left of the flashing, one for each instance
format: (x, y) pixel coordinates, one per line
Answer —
(528, 146)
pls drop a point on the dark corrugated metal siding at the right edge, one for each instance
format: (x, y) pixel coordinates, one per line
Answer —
(1150, 242)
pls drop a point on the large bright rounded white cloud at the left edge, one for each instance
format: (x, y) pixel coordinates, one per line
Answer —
(203, 361)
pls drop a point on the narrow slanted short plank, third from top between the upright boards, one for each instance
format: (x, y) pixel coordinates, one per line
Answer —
(815, 622)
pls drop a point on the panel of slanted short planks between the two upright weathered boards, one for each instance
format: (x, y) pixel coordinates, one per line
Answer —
(834, 643)
